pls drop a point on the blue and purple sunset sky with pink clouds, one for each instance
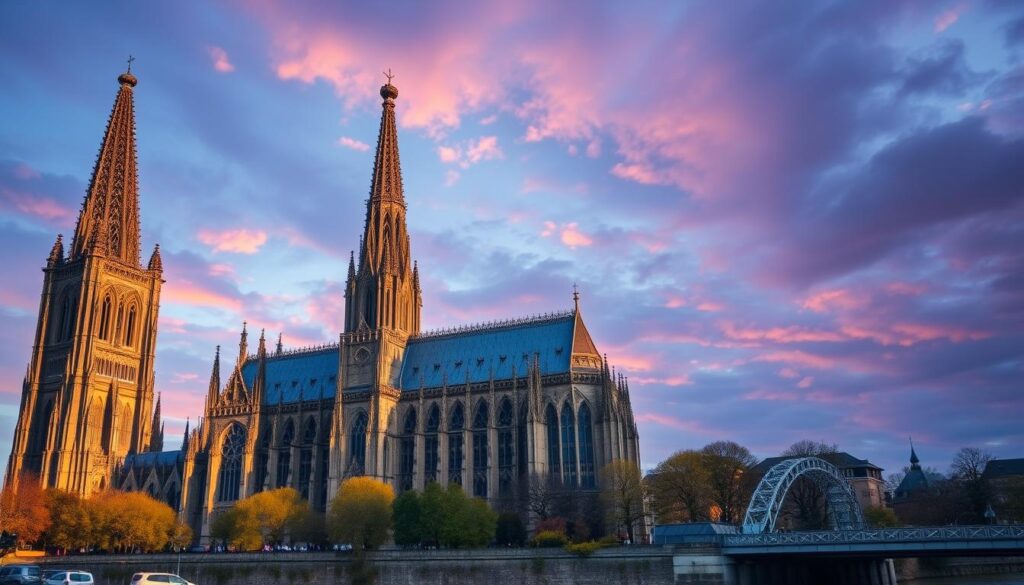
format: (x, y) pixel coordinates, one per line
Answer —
(787, 220)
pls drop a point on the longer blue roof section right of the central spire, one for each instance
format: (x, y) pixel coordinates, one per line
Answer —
(476, 352)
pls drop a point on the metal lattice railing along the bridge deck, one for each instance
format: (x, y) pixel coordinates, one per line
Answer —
(923, 534)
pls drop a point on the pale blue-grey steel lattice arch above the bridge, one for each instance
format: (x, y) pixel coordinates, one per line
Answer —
(844, 512)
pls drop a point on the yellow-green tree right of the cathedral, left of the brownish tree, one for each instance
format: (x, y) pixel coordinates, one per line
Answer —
(680, 488)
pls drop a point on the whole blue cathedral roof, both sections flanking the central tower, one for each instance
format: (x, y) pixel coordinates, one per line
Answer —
(434, 358)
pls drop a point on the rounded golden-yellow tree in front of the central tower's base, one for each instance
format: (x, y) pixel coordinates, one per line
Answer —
(361, 514)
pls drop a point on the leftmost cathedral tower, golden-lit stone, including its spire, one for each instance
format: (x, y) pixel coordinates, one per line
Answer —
(88, 396)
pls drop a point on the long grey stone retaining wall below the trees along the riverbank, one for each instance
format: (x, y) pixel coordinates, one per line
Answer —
(641, 566)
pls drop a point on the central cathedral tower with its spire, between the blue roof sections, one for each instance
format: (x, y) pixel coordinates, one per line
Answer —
(382, 311)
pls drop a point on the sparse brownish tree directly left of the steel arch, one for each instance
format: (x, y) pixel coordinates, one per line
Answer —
(729, 465)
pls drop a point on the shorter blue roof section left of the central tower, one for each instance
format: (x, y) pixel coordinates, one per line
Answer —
(300, 374)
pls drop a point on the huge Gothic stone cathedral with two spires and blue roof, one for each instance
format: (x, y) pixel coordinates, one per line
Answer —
(494, 408)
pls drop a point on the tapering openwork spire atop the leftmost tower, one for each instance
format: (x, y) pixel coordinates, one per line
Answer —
(109, 221)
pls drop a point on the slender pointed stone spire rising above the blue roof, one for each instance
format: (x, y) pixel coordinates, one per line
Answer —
(383, 296)
